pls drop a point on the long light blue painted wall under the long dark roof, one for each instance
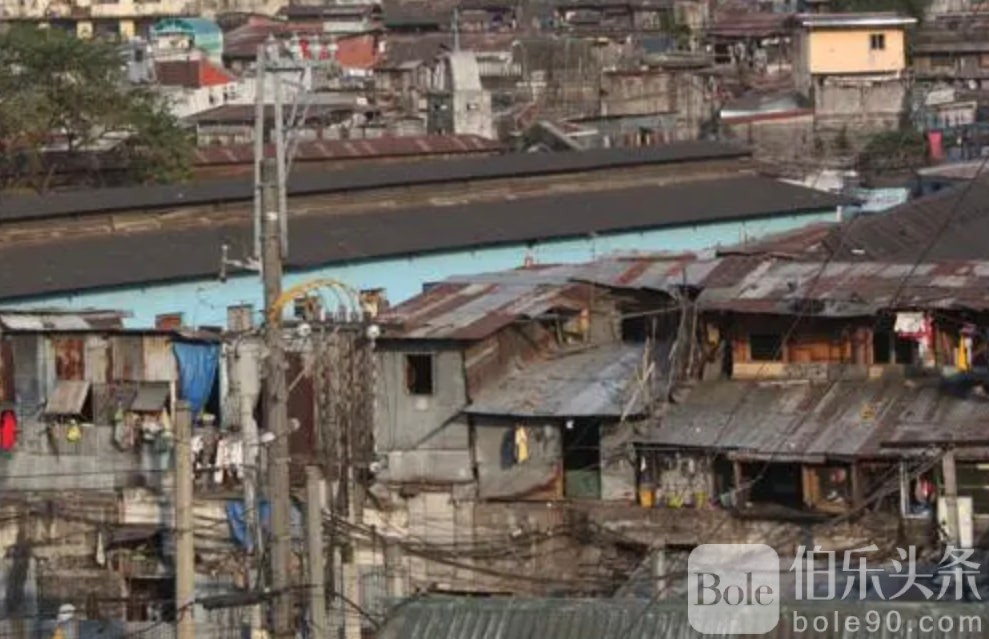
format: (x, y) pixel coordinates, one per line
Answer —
(204, 302)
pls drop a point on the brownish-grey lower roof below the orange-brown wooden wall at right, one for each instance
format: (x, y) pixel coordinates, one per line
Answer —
(800, 419)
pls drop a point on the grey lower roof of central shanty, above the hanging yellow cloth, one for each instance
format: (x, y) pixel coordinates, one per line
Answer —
(595, 382)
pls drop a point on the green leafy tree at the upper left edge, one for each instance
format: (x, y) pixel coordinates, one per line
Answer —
(60, 92)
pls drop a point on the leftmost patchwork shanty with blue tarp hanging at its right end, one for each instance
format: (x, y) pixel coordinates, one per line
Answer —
(94, 402)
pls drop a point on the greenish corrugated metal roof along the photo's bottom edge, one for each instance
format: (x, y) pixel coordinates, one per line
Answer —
(511, 618)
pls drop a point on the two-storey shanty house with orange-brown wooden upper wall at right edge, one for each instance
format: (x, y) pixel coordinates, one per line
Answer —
(828, 387)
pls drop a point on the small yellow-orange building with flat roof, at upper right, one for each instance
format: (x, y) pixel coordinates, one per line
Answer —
(849, 44)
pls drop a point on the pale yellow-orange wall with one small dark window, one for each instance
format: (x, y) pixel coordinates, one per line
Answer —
(836, 51)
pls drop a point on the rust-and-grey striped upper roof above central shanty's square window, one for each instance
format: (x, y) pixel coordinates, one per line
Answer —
(472, 311)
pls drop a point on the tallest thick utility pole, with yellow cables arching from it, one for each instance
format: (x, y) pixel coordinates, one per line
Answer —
(276, 409)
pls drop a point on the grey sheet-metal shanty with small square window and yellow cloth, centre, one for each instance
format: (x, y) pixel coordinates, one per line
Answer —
(525, 382)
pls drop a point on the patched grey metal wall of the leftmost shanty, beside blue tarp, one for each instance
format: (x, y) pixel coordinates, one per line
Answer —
(44, 458)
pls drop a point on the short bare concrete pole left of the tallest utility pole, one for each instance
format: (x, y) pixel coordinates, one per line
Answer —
(185, 552)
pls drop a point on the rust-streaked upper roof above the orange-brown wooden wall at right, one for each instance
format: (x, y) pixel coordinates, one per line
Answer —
(850, 289)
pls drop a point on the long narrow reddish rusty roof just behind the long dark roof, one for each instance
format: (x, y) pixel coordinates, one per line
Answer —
(325, 150)
